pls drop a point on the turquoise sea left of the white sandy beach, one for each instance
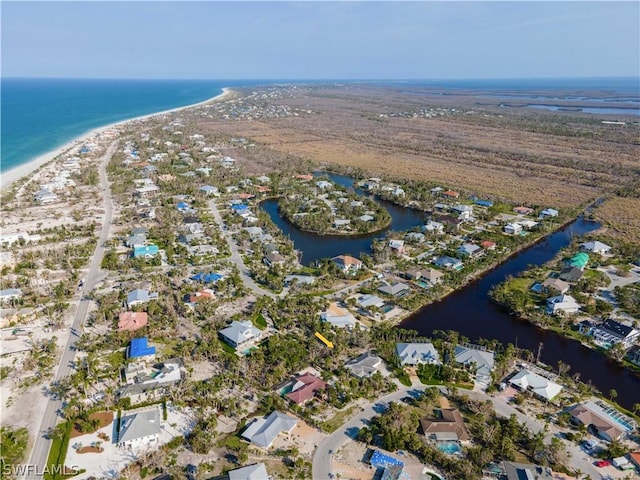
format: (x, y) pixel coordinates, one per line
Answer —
(40, 115)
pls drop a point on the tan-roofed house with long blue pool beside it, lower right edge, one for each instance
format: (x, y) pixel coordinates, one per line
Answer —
(607, 422)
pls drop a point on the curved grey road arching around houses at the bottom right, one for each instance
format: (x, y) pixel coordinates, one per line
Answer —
(322, 459)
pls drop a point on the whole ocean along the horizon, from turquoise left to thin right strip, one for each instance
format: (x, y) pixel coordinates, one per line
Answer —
(40, 115)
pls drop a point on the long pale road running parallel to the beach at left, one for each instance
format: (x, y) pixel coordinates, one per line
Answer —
(41, 447)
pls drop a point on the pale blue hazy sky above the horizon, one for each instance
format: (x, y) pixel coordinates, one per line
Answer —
(298, 40)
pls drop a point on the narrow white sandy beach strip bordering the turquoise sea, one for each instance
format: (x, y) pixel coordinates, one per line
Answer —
(10, 177)
